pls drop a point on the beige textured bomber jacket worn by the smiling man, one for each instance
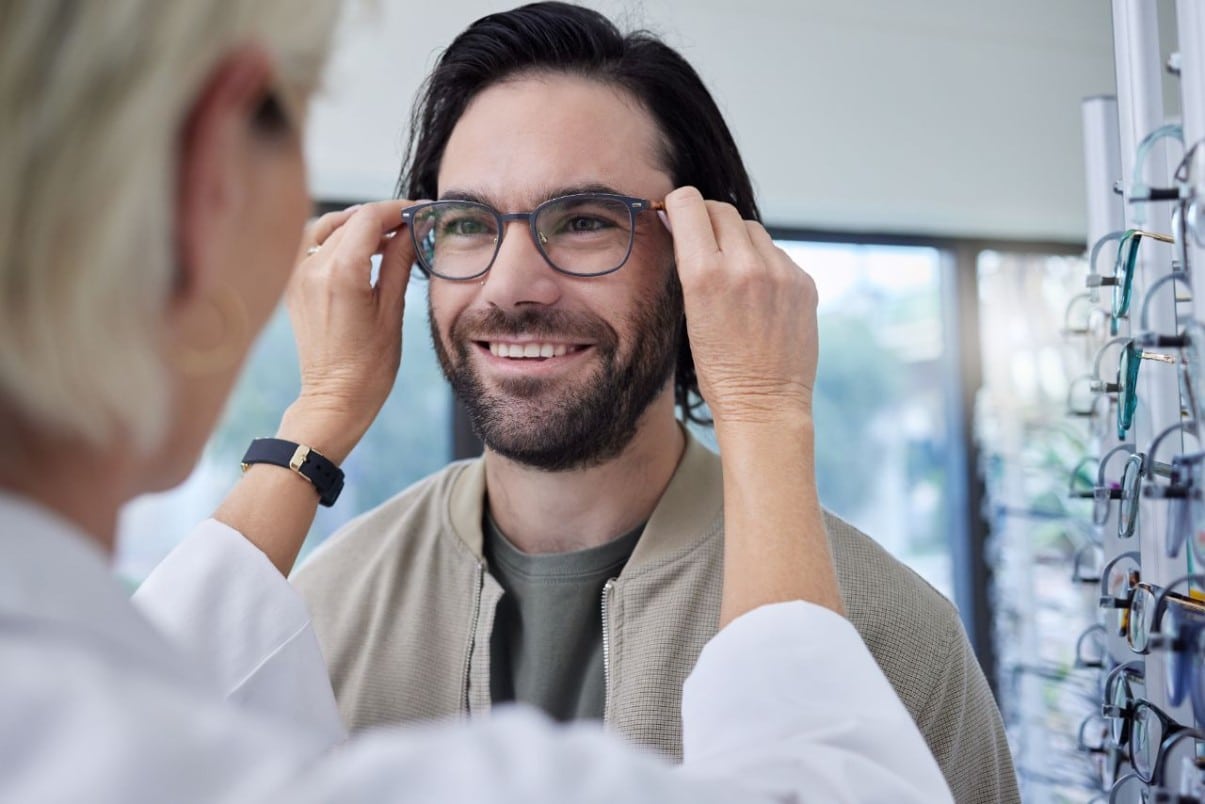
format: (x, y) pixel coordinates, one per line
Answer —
(404, 606)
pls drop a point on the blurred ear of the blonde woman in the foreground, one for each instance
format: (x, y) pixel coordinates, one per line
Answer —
(213, 150)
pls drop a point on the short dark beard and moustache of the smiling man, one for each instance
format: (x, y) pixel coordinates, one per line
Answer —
(554, 425)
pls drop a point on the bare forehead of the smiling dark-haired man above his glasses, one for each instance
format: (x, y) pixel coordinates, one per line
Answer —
(520, 142)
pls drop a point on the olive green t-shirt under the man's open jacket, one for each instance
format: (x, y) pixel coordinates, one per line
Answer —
(548, 644)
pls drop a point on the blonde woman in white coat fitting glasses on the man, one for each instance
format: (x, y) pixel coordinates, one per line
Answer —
(152, 201)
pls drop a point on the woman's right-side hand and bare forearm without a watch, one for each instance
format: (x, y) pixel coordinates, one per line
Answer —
(751, 319)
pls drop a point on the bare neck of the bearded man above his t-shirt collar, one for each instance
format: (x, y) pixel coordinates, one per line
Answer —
(551, 513)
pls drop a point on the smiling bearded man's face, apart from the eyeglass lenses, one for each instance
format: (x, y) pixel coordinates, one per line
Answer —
(613, 338)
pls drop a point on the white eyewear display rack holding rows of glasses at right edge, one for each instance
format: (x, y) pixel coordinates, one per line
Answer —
(1144, 473)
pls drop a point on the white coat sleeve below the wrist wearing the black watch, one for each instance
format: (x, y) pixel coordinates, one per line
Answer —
(228, 609)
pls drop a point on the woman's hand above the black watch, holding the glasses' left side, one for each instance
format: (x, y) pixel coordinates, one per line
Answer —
(348, 332)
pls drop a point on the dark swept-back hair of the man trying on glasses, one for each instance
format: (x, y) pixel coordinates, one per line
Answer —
(562, 38)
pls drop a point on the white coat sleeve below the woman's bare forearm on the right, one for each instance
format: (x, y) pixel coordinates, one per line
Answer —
(789, 699)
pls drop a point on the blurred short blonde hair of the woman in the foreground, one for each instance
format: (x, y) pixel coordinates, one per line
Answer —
(93, 97)
